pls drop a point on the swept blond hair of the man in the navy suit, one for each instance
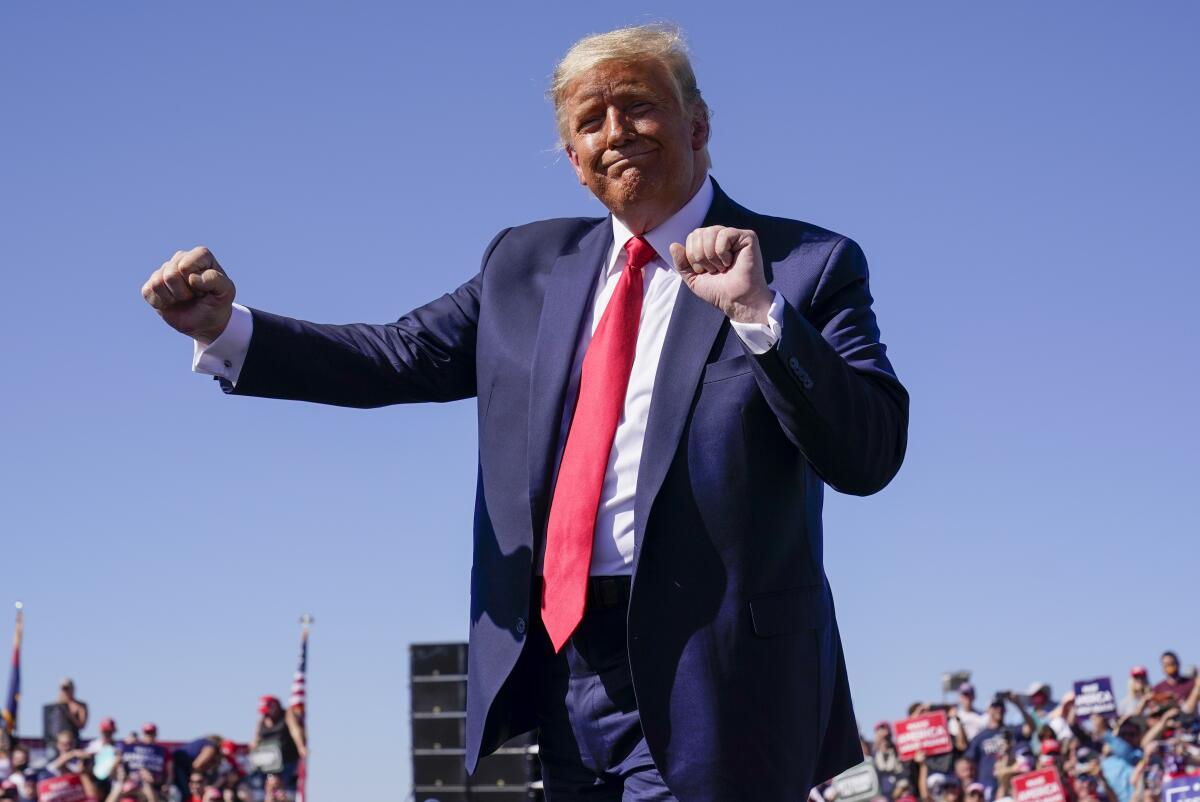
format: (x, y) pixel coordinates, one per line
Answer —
(659, 43)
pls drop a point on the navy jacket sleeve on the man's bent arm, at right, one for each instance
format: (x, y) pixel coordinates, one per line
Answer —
(831, 385)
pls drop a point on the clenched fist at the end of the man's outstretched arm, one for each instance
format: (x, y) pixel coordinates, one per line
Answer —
(193, 294)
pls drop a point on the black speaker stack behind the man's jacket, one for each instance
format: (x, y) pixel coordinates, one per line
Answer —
(439, 675)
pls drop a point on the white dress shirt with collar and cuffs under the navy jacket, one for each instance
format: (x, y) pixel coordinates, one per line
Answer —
(613, 548)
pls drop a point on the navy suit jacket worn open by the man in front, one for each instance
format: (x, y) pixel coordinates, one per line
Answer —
(734, 647)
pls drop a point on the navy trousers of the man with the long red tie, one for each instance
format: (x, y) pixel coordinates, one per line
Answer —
(591, 739)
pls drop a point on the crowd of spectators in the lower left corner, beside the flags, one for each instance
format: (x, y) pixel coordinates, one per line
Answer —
(139, 768)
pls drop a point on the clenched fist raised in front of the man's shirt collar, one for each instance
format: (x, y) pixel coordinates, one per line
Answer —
(724, 267)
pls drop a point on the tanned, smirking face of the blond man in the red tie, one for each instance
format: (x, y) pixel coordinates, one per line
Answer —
(632, 142)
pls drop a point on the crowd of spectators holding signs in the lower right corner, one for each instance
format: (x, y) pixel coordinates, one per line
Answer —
(1124, 757)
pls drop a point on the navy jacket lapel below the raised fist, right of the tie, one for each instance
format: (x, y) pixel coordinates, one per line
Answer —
(691, 337)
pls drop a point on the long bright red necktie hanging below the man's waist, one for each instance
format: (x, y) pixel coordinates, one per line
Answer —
(573, 510)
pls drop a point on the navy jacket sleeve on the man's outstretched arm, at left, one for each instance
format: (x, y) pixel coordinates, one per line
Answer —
(427, 356)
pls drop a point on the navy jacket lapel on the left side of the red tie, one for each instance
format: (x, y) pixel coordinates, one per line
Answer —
(563, 312)
